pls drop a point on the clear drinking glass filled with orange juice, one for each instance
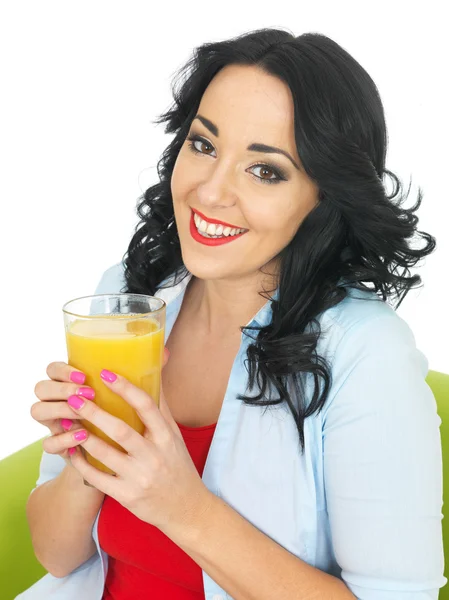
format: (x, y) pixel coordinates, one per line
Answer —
(124, 333)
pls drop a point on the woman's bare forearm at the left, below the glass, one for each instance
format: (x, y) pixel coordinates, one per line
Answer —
(61, 513)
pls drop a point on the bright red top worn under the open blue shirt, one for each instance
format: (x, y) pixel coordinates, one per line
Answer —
(141, 557)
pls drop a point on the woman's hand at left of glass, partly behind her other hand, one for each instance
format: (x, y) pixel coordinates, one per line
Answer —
(54, 412)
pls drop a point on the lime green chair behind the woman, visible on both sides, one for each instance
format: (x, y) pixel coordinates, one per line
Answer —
(19, 568)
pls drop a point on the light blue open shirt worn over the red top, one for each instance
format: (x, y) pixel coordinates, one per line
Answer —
(363, 502)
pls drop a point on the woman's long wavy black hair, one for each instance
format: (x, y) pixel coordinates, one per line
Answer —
(356, 231)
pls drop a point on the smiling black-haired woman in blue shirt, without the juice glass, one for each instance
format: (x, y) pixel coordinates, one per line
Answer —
(336, 491)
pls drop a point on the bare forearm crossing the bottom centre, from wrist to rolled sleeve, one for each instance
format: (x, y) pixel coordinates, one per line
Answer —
(248, 564)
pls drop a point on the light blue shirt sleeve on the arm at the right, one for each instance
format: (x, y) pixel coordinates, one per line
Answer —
(383, 465)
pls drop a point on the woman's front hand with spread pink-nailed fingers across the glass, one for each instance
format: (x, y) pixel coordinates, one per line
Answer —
(156, 480)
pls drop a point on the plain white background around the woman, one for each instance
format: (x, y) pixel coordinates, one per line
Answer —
(81, 84)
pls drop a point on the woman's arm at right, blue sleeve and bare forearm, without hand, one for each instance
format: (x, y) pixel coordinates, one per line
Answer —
(383, 478)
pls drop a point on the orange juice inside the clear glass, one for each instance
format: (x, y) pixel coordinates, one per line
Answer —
(131, 347)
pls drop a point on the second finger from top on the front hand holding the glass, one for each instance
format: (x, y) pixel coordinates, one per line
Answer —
(116, 429)
